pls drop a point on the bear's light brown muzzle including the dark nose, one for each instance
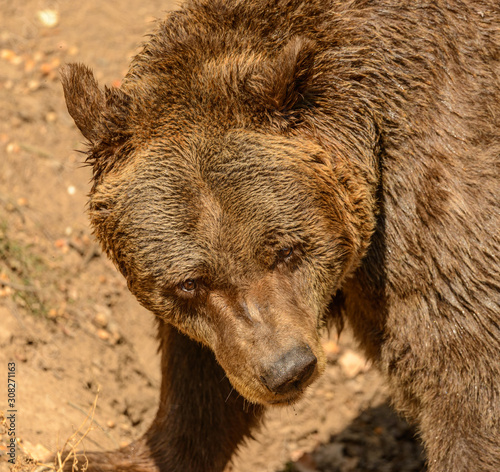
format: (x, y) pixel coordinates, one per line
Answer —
(268, 346)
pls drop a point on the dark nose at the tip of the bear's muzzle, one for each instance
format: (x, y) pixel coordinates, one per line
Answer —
(290, 371)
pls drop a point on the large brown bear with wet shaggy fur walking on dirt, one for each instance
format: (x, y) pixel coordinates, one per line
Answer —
(269, 166)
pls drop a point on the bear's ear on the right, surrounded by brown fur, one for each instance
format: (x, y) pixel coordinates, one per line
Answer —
(285, 81)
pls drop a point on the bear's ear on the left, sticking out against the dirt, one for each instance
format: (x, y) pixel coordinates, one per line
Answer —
(99, 115)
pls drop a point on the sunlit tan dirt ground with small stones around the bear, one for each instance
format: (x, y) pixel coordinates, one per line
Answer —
(67, 321)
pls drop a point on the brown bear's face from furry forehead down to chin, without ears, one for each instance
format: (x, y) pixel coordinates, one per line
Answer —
(239, 241)
